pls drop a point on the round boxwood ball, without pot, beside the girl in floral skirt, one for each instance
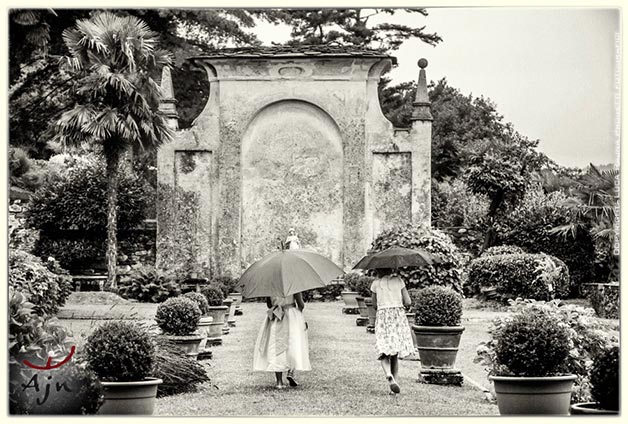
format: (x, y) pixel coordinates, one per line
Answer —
(437, 306)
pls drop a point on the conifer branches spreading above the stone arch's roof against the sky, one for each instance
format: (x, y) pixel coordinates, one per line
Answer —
(348, 26)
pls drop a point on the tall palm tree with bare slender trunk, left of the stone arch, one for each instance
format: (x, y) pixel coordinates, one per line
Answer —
(114, 59)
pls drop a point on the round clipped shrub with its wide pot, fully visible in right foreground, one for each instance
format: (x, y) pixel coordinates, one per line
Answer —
(530, 354)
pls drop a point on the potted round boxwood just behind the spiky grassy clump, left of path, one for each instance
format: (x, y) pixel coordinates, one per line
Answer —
(178, 318)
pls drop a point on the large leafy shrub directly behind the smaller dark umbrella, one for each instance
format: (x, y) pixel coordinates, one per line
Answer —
(446, 273)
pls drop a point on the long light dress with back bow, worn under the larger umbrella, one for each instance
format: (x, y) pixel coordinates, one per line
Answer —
(282, 340)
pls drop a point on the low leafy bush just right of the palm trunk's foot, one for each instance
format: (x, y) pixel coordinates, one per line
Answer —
(146, 284)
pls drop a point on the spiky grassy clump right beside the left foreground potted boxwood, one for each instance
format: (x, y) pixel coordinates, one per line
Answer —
(179, 373)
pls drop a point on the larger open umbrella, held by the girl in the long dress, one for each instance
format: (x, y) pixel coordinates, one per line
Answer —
(288, 272)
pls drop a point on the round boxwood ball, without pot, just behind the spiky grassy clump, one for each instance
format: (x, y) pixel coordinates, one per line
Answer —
(178, 316)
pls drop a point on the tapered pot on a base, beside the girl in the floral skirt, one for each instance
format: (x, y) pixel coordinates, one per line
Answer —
(438, 346)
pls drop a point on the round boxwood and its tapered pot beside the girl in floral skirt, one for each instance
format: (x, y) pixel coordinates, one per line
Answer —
(437, 326)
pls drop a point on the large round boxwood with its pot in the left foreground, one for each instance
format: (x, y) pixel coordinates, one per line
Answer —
(122, 355)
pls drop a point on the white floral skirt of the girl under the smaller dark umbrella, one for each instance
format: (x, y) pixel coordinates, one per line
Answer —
(392, 333)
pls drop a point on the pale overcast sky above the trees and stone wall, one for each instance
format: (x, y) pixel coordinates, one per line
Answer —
(551, 72)
